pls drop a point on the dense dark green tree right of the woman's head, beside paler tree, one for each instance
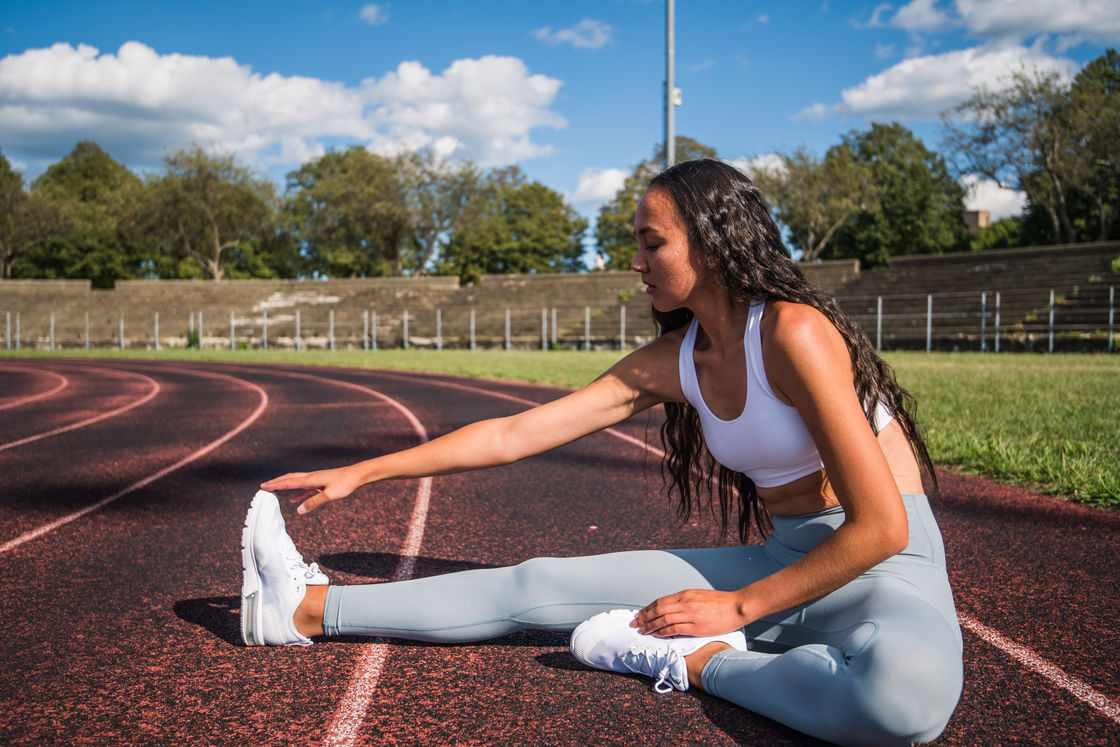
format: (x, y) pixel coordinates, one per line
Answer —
(920, 208)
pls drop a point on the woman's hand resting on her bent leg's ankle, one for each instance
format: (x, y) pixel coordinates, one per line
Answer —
(693, 612)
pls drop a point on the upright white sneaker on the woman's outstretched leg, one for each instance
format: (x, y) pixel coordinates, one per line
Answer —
(275, 578)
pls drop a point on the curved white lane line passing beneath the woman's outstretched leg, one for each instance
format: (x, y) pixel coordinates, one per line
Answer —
(351, 713)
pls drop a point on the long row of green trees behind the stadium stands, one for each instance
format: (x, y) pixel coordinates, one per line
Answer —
(879, 193)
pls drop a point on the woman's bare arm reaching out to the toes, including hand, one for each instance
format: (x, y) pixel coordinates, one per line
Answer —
(639, 381)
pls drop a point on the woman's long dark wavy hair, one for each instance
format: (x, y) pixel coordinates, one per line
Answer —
(729, 222)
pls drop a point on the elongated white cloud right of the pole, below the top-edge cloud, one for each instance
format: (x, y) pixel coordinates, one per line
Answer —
(921, 88)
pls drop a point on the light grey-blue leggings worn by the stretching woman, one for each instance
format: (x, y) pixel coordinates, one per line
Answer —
(878, 661)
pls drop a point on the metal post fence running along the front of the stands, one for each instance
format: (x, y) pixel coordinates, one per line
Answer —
(1025, 320)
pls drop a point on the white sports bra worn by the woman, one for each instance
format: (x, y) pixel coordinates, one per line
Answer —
(769, 441)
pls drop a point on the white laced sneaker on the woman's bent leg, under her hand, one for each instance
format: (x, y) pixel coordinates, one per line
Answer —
(608, 642)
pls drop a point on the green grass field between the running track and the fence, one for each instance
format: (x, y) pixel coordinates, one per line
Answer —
(1047, 422)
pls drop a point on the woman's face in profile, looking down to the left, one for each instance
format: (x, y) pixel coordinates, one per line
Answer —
(671, 272)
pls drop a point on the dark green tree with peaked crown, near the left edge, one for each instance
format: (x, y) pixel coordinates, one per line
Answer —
(101, 198)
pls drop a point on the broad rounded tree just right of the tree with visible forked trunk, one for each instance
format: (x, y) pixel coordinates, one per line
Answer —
(349, 212)
